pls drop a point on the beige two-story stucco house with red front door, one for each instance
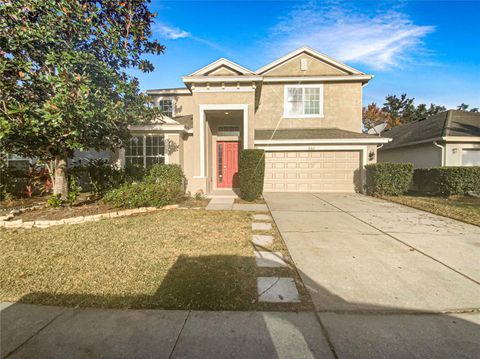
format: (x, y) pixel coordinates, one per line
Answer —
(304, 110)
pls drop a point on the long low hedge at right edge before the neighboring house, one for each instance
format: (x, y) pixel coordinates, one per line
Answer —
(447, 181)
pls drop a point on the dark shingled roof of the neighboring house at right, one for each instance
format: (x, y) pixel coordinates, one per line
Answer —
(444, 124)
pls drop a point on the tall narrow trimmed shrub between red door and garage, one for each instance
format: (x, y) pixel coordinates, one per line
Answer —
(252, 173)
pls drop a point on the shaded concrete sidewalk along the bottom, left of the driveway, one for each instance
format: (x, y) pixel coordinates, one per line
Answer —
(29, 331)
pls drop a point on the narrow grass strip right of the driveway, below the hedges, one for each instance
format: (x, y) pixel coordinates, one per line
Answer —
(465, 209)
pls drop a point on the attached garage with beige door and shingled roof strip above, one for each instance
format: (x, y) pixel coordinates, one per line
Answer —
(316, 159)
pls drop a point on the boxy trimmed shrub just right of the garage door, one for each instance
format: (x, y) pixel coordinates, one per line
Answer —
(388, 179)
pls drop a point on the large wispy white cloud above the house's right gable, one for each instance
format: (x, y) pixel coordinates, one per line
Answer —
(379, 40)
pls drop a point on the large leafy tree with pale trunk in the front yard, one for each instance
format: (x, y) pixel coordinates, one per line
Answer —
(63, 80)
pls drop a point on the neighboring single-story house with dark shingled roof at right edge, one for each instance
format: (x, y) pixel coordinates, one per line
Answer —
(450, 138)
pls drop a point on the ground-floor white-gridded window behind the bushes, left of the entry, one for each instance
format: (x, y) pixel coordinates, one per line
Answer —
(145, 150)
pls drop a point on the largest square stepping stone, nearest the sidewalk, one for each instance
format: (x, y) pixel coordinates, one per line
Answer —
(277, 290)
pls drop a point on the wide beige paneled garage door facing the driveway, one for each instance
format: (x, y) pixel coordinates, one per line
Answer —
(315, 171)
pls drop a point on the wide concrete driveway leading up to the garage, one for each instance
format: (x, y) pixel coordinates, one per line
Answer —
(386, 280)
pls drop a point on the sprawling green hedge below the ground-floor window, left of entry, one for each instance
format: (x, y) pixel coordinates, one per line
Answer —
(164, 184)
